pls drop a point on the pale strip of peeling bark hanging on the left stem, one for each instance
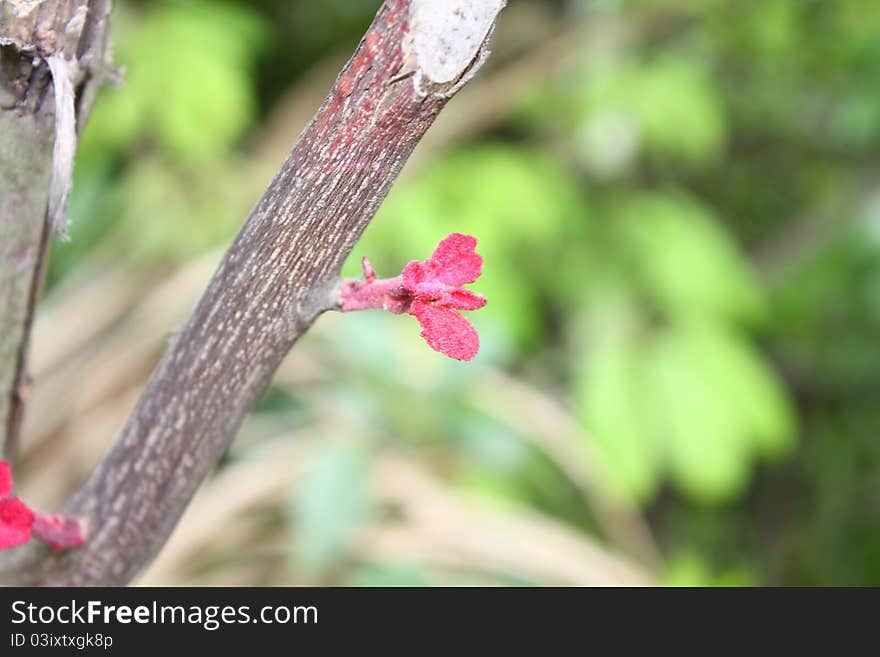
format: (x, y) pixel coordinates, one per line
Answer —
(63, 72)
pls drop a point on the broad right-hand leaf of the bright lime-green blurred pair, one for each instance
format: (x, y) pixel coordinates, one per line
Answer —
(717, 406)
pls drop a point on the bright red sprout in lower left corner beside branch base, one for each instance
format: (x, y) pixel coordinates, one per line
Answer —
(18, 522)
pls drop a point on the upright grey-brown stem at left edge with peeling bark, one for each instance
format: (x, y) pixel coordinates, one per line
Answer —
(45, 45)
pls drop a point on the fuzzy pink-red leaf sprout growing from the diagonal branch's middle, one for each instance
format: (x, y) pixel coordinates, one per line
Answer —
(432, 292)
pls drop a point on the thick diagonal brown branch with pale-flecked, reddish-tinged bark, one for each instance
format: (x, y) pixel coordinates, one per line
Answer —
(278, 276)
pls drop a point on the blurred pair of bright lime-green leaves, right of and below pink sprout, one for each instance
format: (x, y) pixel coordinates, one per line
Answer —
(693, 400)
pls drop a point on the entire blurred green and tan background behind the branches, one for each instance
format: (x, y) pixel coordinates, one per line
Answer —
(678, 210)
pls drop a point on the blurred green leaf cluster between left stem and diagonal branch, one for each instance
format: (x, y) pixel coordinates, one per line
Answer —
(188, 82)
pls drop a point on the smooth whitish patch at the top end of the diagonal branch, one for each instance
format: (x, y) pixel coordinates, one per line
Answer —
(448, 38)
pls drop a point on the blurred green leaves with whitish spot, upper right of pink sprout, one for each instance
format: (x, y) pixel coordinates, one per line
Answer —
(668, 106)
